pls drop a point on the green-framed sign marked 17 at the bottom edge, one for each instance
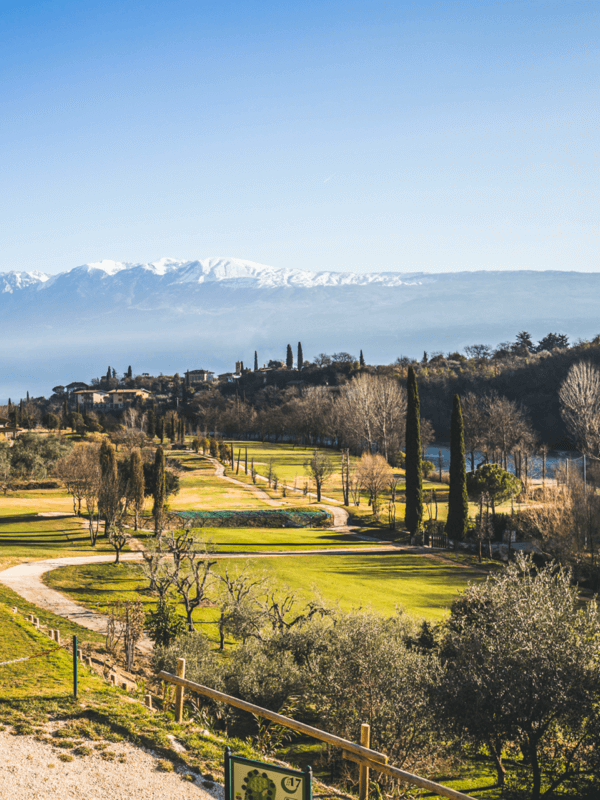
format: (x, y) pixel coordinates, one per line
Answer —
(256, 780)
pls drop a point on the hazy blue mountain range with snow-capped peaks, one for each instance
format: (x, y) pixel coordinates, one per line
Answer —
(172, 315)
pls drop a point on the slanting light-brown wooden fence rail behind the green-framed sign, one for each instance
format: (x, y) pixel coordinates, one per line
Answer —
(352, 751)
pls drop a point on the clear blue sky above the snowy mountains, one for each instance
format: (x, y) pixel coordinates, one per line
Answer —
(319, 134)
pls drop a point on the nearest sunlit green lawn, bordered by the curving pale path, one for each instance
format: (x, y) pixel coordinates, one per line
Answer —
(423, 586)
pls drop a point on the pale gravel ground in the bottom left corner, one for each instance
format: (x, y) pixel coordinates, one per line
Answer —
(30, 770)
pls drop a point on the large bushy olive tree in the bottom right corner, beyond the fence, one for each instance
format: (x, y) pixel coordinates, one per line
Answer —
(523, 669)
